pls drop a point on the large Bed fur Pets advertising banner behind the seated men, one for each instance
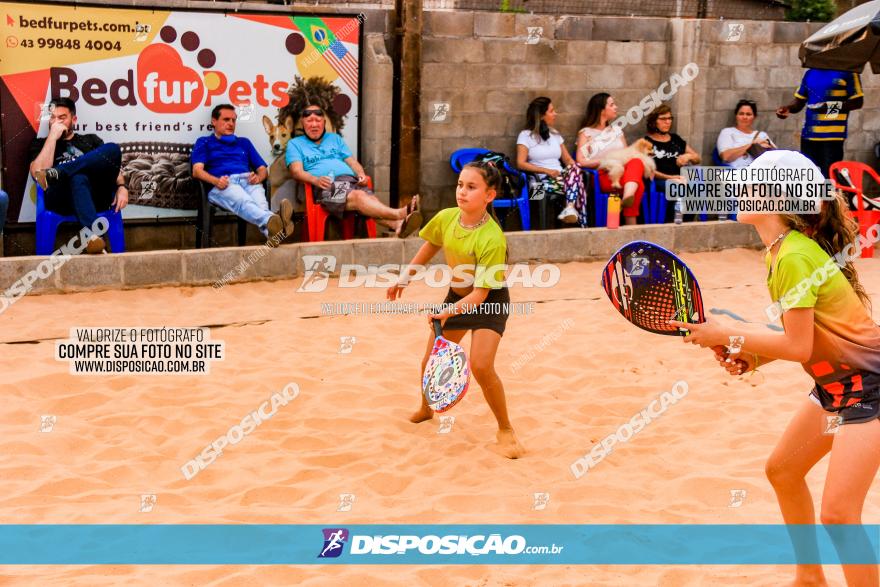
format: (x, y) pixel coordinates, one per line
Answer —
(148, 79)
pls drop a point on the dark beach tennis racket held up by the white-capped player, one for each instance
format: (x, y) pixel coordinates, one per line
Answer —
(650, 286)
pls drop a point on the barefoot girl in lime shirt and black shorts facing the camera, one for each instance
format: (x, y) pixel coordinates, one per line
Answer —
(470, 236)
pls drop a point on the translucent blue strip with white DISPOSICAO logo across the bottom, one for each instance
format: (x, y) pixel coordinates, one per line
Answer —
(621, 544)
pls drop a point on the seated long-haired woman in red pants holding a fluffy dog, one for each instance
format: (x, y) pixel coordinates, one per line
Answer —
(596, 138)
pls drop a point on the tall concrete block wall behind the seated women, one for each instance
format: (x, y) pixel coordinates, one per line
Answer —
(485, 67)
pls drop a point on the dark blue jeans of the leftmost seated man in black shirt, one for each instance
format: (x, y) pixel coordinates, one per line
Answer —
(86, 184)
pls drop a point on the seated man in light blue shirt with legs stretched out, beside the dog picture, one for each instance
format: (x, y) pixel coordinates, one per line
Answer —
(324, 160)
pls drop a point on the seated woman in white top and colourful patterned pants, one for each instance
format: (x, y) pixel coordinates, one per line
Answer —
(539, 149)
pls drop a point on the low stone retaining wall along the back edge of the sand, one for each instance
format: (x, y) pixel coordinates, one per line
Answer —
(209, 266)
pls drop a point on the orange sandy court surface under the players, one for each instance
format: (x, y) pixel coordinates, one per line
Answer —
(120, 436)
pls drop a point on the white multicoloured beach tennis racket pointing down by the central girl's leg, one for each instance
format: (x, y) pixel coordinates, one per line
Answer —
(447, 374)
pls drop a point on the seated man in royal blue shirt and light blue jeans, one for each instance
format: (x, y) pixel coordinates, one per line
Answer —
(232, 165)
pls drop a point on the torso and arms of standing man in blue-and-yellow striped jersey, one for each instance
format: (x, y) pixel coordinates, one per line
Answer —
(829, 96)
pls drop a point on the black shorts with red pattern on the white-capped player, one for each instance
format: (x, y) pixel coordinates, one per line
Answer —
(856, 398)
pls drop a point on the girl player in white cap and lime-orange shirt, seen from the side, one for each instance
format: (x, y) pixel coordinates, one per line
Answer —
(829, 330)
